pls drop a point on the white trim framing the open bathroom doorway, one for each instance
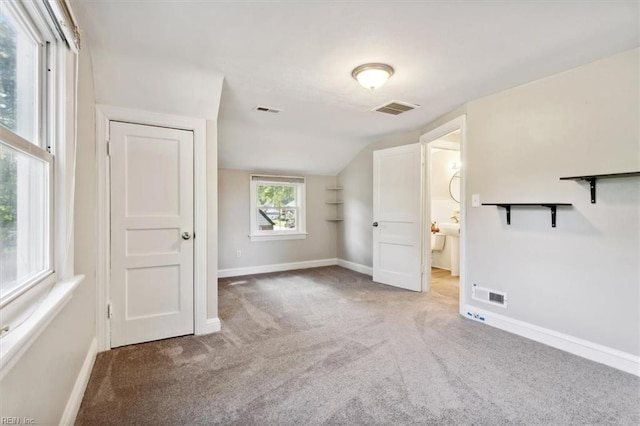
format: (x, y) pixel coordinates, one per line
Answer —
(425, 139)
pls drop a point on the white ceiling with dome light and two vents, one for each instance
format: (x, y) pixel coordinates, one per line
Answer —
(298, 57)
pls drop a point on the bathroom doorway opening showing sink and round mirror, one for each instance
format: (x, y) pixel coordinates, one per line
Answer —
(444, 211)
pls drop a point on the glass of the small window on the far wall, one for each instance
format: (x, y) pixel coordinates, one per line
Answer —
(277, 208)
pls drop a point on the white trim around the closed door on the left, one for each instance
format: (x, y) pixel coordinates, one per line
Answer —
(104, 114)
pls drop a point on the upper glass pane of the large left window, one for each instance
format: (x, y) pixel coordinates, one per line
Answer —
(18, 77)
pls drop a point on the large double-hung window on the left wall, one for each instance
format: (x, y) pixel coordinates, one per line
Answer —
(26, 165)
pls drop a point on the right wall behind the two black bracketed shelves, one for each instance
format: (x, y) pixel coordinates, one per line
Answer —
(581, 278)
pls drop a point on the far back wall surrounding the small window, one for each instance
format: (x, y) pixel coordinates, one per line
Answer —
(233, 225)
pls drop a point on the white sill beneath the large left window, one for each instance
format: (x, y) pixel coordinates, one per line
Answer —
(15, 344)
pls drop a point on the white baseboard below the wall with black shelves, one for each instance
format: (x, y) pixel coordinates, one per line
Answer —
(595, 352)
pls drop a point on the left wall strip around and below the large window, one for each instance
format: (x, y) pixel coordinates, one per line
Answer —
(39, 385)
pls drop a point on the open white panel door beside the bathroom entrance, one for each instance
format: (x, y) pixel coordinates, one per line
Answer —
(397, 177)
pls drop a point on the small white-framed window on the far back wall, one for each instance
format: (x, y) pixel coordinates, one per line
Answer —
(277, 208)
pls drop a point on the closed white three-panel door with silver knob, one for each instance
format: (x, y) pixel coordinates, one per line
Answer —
(151, 281)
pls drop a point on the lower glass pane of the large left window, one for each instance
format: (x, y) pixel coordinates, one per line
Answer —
(24, 216)
